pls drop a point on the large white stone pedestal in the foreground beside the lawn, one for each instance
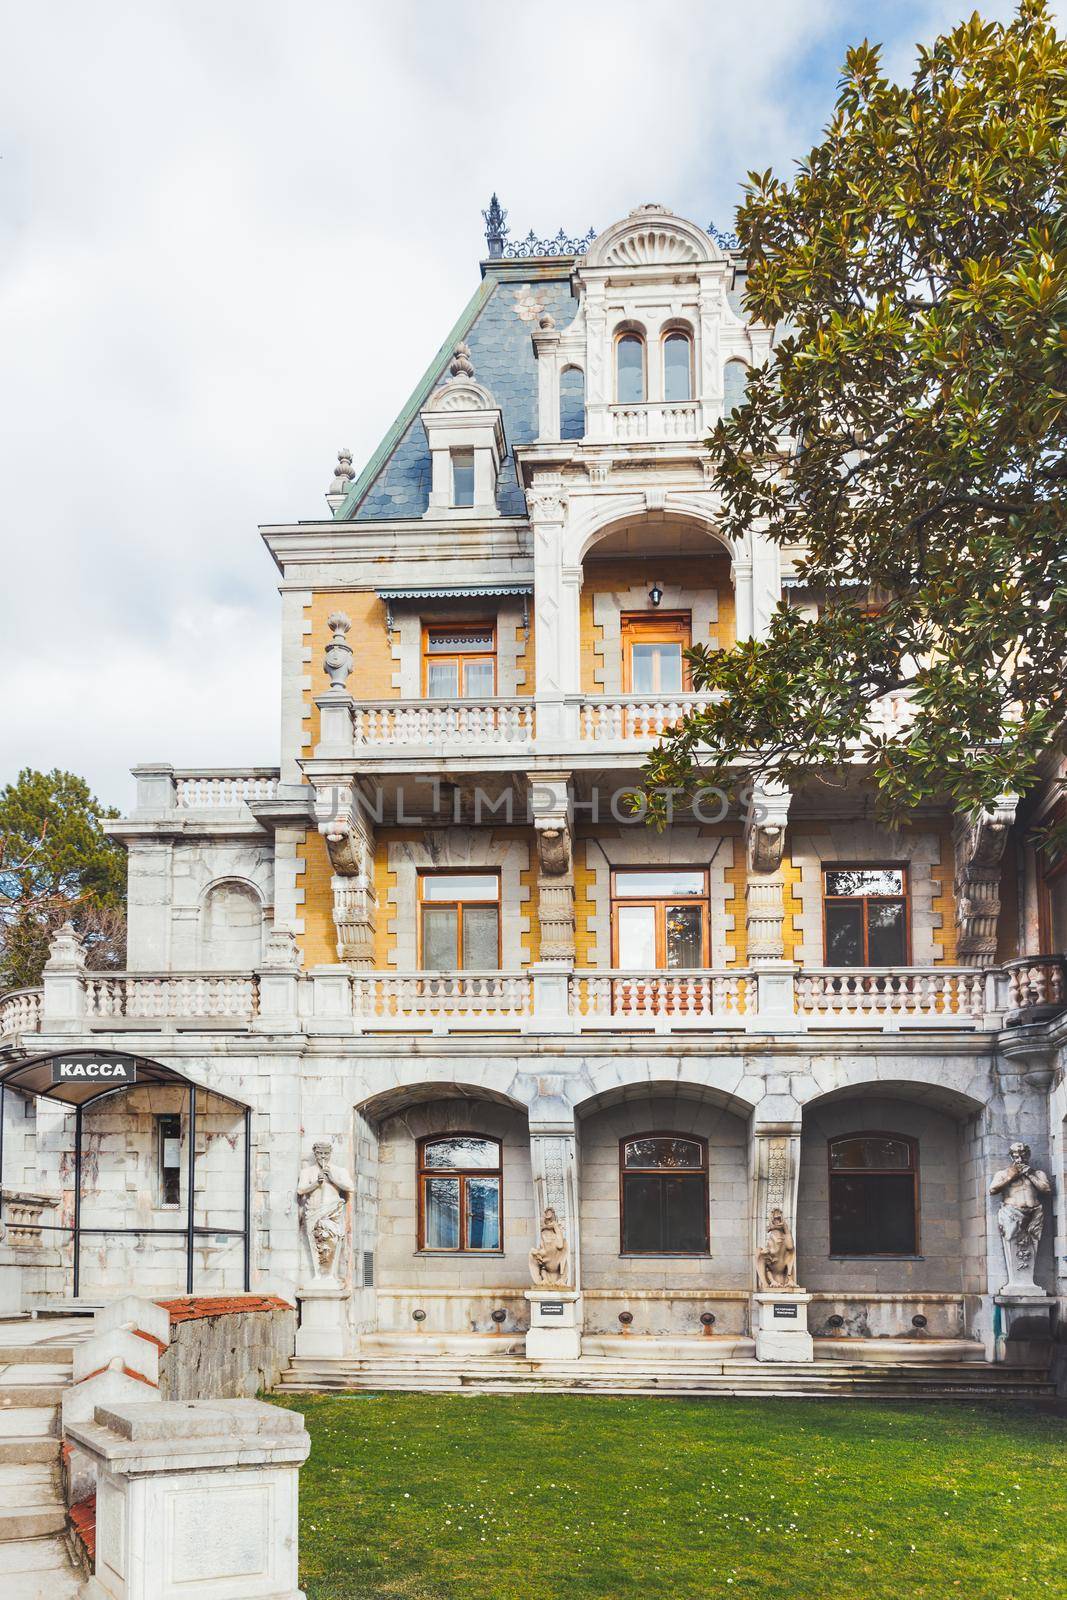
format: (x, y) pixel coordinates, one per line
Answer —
(196, 1498)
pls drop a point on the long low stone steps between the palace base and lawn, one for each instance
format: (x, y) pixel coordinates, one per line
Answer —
(921, 1375)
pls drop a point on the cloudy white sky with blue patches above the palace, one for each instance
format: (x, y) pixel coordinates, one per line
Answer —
(231, 239)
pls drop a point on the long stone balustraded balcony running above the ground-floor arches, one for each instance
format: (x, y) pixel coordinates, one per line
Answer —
(556, 1001)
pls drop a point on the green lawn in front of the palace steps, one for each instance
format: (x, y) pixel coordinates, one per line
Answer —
(578, 1498)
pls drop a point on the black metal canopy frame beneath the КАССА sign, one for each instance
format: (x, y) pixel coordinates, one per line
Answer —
(190, 1231)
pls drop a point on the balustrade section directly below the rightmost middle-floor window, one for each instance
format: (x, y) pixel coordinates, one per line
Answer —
(860, 998)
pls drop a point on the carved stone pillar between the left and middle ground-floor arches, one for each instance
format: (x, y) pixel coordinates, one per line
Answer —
(556, 1310)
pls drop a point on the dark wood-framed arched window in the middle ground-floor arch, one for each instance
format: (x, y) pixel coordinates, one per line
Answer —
(665, 1196)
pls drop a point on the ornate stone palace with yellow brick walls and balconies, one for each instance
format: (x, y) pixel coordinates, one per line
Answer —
(438, 938)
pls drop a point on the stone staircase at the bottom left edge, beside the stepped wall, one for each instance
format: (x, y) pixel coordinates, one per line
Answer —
(36, 1366)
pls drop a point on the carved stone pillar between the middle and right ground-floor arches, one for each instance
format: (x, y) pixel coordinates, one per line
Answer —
(780, 1316)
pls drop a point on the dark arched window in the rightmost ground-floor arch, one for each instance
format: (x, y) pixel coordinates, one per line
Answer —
(874, 1194)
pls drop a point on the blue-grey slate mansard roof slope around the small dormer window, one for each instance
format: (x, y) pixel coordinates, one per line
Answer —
(497, 326)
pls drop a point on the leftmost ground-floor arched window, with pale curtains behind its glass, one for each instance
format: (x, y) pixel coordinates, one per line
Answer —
(460, 1194)
